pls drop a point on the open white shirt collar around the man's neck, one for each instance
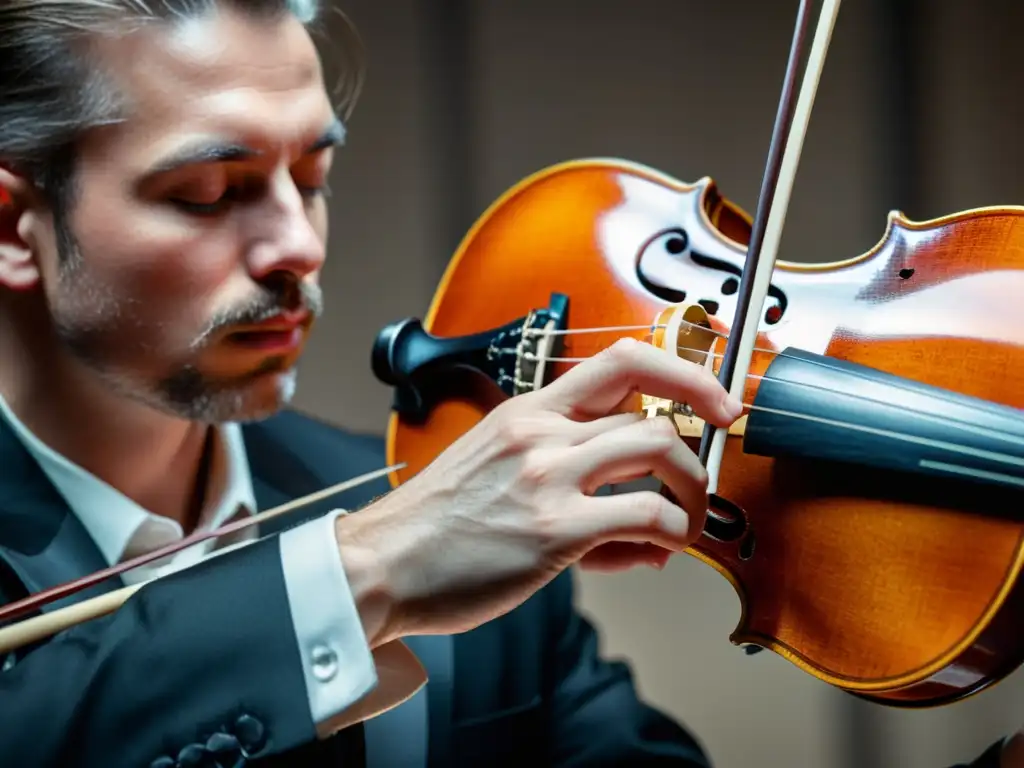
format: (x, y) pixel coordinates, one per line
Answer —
(121, 528)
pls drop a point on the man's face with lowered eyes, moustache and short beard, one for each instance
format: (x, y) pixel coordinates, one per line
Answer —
(198, 219)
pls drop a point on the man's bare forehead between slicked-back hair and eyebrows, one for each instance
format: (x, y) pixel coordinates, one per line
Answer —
(222, 75)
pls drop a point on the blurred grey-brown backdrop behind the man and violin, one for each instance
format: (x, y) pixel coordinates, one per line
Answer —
(920, 110)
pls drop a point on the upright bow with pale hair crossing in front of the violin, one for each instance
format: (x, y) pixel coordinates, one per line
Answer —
(773, 205)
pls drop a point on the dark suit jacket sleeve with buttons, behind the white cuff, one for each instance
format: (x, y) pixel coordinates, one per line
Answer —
(202, 661)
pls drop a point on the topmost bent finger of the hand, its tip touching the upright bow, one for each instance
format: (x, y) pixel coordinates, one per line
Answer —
(596, 387)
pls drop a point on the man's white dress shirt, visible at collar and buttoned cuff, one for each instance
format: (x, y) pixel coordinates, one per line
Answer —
(346, 682)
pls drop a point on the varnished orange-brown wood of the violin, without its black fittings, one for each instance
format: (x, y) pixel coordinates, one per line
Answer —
(881, 584)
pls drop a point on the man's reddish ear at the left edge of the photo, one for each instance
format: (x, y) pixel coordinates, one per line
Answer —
(19, 219)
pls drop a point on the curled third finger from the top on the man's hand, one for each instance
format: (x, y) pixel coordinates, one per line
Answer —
(642, 518)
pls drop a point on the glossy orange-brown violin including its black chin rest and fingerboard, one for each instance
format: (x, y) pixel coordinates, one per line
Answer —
(872, 499)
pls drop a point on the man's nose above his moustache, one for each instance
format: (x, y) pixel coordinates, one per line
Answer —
(285, 238)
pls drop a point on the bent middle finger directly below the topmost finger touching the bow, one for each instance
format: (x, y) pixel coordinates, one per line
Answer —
(650, 447)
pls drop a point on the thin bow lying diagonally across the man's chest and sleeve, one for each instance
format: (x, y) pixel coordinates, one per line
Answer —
(32, 630)
